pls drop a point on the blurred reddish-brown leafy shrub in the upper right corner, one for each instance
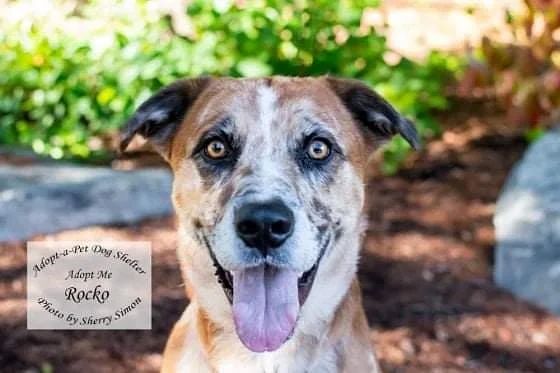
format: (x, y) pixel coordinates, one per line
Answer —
(524, 74)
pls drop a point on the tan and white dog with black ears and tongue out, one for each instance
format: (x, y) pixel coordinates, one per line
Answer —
(269, 193)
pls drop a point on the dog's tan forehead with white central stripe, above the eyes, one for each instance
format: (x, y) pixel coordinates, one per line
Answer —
(270, 107)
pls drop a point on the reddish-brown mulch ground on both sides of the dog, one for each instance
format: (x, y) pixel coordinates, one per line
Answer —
(426, 273)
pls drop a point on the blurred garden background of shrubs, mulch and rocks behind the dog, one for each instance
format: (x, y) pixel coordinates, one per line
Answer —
(444, 288)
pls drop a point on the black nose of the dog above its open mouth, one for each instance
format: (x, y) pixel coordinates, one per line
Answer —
(264, 225)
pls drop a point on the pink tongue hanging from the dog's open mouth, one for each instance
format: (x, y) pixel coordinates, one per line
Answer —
(265, 306)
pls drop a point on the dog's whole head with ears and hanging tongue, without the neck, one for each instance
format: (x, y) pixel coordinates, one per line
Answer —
(269, 189)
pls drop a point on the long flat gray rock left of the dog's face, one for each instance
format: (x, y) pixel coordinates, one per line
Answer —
(48, 198)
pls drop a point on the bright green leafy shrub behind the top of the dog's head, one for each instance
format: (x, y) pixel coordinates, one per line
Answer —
(64, 93)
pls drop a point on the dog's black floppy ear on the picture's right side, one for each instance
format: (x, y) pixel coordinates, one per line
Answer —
(373, 111)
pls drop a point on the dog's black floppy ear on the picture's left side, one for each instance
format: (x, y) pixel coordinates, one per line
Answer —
(159, 117)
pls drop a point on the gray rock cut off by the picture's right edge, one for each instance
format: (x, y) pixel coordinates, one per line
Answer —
(527, 222)
